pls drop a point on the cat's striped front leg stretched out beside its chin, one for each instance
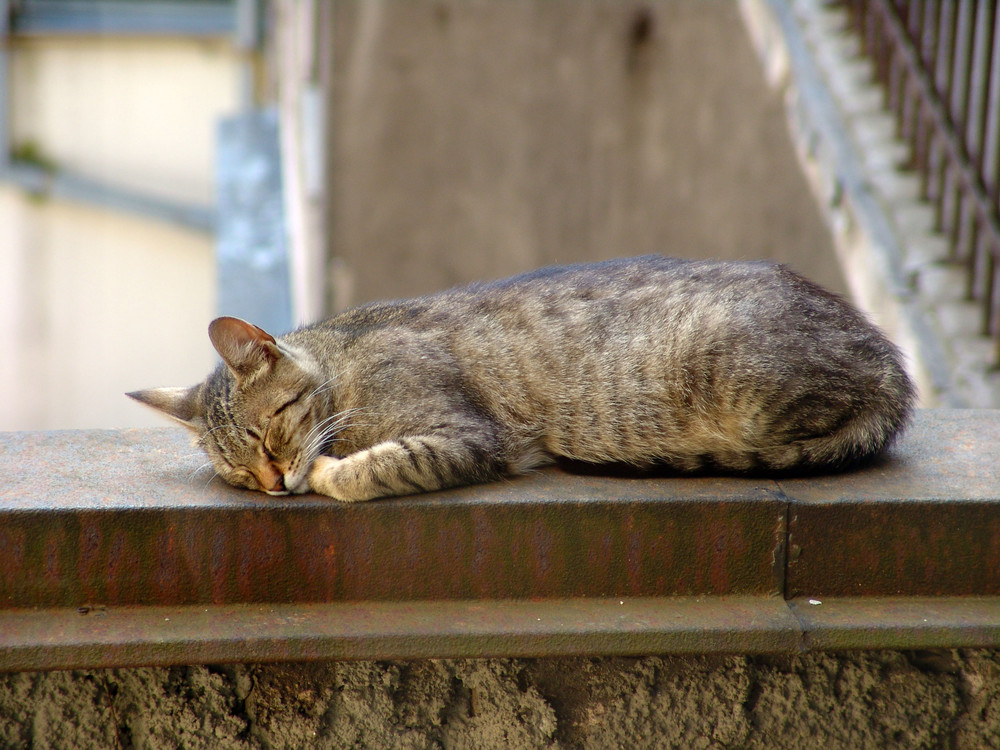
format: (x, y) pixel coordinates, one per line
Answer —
(406, 466)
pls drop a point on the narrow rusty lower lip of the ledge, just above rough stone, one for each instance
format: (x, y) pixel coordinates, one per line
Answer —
(159, 636)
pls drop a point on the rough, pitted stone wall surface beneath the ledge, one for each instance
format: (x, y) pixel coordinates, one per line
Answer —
(883, 699)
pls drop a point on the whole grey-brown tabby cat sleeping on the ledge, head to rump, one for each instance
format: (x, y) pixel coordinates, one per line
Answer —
(693, 364)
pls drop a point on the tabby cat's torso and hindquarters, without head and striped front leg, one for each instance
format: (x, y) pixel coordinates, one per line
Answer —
(735, 364)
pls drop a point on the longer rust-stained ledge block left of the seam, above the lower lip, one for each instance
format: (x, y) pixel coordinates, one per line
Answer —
(125, 518)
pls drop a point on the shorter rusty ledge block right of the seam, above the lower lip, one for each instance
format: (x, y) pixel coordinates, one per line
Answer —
(926, 523)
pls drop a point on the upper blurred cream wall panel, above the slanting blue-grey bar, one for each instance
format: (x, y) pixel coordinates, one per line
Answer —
(138, 113)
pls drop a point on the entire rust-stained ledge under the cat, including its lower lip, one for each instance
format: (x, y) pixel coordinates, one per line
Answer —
(116, 549)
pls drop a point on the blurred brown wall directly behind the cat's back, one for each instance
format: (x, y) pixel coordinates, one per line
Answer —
(479, 139)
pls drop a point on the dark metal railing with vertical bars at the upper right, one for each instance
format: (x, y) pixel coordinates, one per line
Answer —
(939, 62)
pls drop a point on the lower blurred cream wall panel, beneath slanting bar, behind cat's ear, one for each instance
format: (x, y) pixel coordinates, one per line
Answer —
(94, 304)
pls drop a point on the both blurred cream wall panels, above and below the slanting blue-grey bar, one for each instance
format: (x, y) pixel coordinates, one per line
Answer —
(95, 302)
